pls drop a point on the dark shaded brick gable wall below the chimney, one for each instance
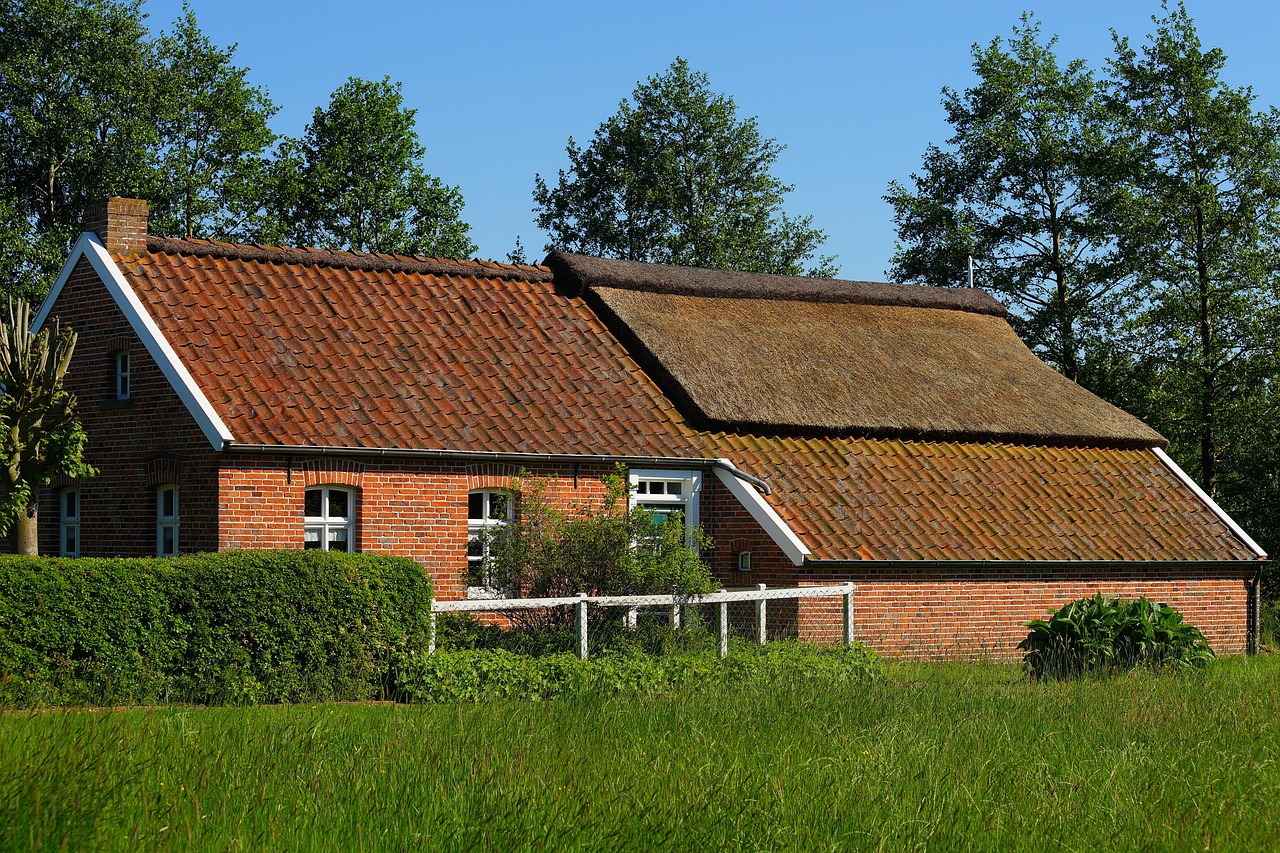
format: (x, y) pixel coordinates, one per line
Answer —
(138, 445)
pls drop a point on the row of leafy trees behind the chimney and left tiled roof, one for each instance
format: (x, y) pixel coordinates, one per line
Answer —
(94, 104)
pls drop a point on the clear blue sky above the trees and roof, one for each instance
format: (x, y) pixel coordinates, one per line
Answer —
(852, 89)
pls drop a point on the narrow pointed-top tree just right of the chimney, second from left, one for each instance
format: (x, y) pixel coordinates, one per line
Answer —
(214, 134)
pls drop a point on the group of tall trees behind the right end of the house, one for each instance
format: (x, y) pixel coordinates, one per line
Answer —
(1131, 220)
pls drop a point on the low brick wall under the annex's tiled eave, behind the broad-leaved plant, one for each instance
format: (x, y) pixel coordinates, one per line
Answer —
(931, 614)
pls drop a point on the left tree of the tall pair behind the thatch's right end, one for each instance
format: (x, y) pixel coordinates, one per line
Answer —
(1027, 190)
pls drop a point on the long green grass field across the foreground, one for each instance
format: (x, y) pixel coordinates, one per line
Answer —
(936, 756)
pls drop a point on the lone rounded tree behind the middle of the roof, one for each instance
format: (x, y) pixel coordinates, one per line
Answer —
(675, 177)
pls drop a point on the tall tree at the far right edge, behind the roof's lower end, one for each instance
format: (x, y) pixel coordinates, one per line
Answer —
(1201, 226)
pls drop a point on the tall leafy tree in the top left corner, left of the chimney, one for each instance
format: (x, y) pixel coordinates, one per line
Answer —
(76, 125)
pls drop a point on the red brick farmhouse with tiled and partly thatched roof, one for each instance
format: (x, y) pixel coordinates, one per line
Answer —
(899, 437)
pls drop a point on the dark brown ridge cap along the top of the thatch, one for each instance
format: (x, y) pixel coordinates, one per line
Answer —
(591, 273)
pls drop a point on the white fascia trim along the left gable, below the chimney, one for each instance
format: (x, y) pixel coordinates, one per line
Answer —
(89, 247)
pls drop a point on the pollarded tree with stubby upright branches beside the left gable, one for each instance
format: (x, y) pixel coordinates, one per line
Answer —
(40, 432)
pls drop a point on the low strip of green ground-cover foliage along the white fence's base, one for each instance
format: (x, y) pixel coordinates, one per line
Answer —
(482, 676)
